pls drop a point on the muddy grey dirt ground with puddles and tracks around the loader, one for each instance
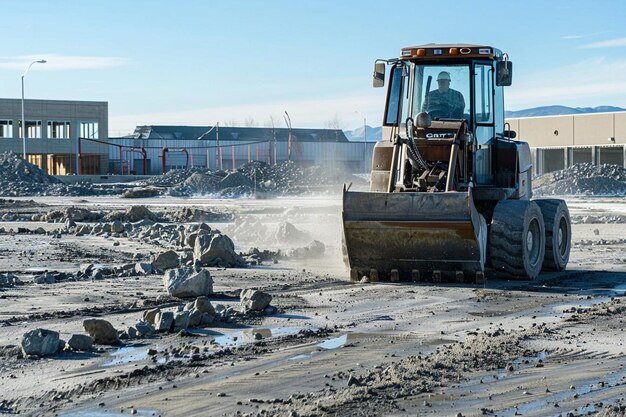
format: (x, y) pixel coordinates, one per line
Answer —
(553, 346)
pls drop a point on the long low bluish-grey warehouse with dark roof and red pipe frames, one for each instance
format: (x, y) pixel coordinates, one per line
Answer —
(158, 149)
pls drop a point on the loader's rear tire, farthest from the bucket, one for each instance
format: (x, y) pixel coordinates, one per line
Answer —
(558, 233)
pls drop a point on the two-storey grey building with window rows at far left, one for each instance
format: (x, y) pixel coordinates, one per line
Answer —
(52, 131)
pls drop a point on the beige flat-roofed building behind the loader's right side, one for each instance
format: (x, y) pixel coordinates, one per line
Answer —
(558, 142)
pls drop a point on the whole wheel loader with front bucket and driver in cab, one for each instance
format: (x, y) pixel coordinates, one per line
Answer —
(450, 189)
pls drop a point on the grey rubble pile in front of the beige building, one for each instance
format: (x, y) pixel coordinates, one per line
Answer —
(583, 179)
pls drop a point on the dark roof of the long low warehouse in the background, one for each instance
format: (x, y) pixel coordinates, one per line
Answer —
(247, 134)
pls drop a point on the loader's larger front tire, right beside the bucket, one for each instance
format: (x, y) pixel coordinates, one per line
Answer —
(517, 239)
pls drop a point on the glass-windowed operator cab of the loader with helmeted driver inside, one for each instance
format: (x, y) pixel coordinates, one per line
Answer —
(455, 83)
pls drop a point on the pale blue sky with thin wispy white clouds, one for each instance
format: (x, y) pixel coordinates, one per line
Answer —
(200, 62)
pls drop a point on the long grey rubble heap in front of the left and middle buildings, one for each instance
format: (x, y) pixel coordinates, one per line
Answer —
(21, 178)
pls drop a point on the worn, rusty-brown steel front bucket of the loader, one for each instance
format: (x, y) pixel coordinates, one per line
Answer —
(413, 236)
